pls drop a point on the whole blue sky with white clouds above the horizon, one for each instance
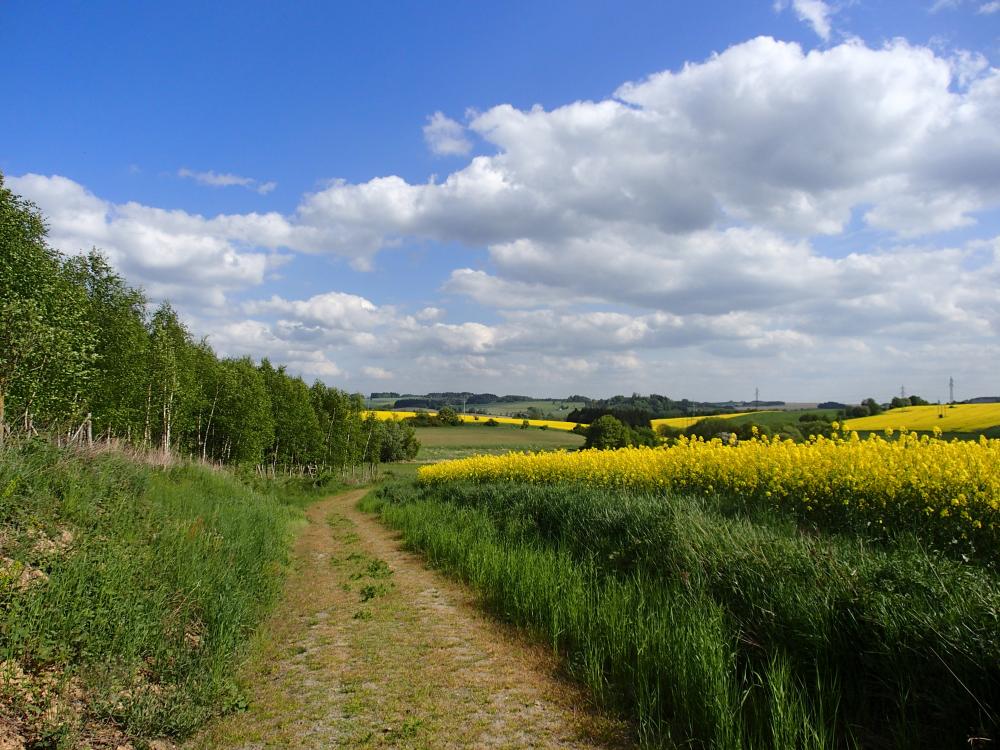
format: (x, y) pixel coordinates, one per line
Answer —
(545, 198)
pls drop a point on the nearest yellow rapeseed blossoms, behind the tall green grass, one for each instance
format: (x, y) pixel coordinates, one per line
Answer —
(948, 491)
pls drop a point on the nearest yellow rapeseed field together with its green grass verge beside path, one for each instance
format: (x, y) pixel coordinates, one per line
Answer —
(771, 594)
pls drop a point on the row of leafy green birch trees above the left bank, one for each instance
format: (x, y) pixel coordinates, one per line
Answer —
(83, 357)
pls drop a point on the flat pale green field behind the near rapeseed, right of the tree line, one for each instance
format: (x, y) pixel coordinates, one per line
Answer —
(439, 443)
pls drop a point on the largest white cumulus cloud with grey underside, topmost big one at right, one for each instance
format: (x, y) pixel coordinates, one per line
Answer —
(763, 133)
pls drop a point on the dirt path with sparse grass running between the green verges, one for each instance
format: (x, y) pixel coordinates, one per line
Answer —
(369, 648)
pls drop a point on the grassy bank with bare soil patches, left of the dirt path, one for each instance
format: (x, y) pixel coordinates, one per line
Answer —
(127, 592)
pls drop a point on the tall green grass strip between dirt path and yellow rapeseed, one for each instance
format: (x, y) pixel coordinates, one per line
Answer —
(723, 631)
